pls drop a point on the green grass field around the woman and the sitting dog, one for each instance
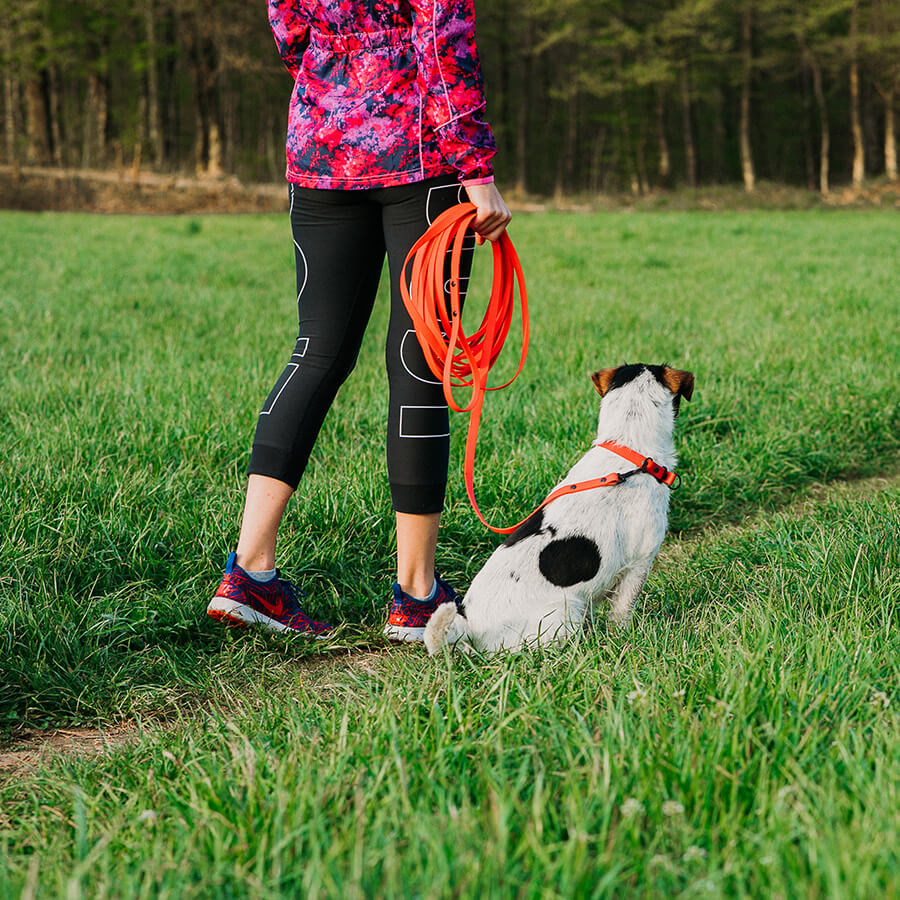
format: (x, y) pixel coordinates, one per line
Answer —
(742, 739)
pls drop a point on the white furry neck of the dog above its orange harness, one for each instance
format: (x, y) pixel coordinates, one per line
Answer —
(633, 419)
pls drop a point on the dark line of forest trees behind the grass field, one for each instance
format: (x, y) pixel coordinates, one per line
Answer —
(584, 95)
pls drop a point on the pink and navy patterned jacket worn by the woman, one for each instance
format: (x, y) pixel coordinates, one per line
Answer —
(386, 92)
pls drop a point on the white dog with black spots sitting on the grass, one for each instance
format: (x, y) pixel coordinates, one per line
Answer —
(568, 558)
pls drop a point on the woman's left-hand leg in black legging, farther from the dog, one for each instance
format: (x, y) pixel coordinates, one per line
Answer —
(339, 252)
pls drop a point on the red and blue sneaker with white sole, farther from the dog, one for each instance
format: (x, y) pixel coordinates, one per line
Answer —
(241, 601)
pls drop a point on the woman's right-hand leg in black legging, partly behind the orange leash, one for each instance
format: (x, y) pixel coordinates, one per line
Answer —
(418, 420)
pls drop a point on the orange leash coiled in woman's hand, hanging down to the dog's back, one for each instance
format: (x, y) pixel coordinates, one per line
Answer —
(458, 359)
